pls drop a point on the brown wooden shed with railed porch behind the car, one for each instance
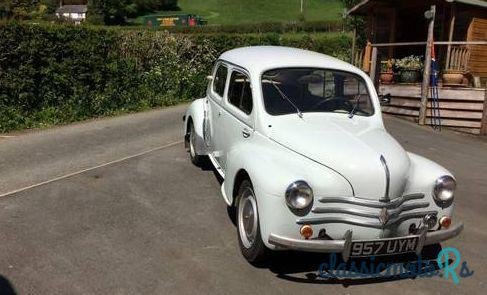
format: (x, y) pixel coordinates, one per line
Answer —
(453, 32)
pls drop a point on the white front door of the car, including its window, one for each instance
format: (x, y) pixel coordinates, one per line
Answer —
(237, 119)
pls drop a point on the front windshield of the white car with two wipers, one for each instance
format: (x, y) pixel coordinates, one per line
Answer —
(306, 90)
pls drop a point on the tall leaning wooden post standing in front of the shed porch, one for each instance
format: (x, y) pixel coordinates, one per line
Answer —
(427, 69)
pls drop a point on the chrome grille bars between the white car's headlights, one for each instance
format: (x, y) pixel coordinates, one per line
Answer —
(375, 214)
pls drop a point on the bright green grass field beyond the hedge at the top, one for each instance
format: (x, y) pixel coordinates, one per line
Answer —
(226, 12)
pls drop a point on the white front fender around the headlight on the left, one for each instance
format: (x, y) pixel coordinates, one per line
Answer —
(262, 159)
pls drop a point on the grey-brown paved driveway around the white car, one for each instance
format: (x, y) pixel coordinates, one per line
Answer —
(114, 206)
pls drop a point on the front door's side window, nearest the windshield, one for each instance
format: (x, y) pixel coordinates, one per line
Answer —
(240, 93)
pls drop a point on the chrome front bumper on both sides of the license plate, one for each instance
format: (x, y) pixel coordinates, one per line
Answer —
(343, 246)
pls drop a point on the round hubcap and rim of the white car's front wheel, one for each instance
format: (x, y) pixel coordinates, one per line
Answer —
(247, 218)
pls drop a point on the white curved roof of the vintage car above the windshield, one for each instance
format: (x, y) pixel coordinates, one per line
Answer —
(257, 59)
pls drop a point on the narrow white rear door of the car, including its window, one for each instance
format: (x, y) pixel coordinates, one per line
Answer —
(213, 127)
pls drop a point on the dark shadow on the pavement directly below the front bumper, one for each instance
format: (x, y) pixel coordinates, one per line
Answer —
(310, 268)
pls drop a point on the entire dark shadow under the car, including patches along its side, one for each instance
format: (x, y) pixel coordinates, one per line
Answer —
(305, 267)
